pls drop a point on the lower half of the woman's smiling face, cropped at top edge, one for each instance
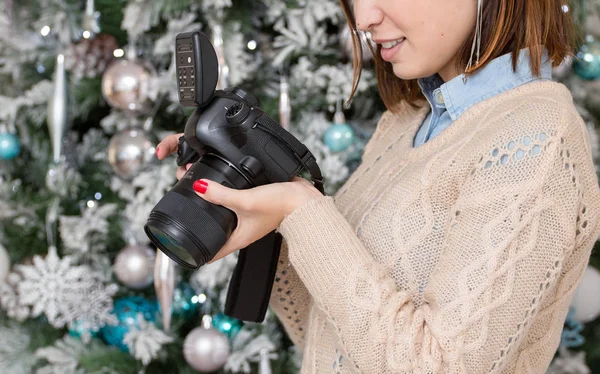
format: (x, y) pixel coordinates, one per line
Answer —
(430, 33)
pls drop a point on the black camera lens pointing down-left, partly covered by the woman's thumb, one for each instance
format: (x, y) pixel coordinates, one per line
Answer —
(187, 228)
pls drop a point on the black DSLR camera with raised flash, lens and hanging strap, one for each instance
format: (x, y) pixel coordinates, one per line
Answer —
(231, 141)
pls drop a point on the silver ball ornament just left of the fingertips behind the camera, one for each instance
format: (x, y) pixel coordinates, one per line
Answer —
(129, 151)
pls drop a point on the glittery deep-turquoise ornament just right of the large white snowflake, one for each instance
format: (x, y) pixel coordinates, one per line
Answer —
(126, 310)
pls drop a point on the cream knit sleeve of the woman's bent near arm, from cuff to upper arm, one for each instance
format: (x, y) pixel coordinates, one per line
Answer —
(506, 273)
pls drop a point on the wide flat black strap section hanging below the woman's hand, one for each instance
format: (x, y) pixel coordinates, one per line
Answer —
(252, 280)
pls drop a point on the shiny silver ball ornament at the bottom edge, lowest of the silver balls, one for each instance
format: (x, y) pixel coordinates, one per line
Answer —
(206, 349)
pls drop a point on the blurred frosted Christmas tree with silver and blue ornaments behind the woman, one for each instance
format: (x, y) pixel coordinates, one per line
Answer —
(88, 88)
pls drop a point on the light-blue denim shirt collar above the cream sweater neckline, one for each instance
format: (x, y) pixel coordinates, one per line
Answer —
(456, 96)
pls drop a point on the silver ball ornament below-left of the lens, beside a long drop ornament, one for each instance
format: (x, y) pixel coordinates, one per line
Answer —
(134, 266)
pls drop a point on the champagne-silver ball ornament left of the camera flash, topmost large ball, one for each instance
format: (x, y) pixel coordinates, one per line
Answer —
(126, 85)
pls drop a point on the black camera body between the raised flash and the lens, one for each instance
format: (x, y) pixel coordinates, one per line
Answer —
(233, 127)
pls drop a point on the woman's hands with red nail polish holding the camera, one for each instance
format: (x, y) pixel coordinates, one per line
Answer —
(259, 210)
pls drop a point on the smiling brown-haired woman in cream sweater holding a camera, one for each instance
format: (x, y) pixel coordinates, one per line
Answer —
(457, 245)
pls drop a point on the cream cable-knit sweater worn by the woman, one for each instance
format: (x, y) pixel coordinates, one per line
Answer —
(496, 217)
